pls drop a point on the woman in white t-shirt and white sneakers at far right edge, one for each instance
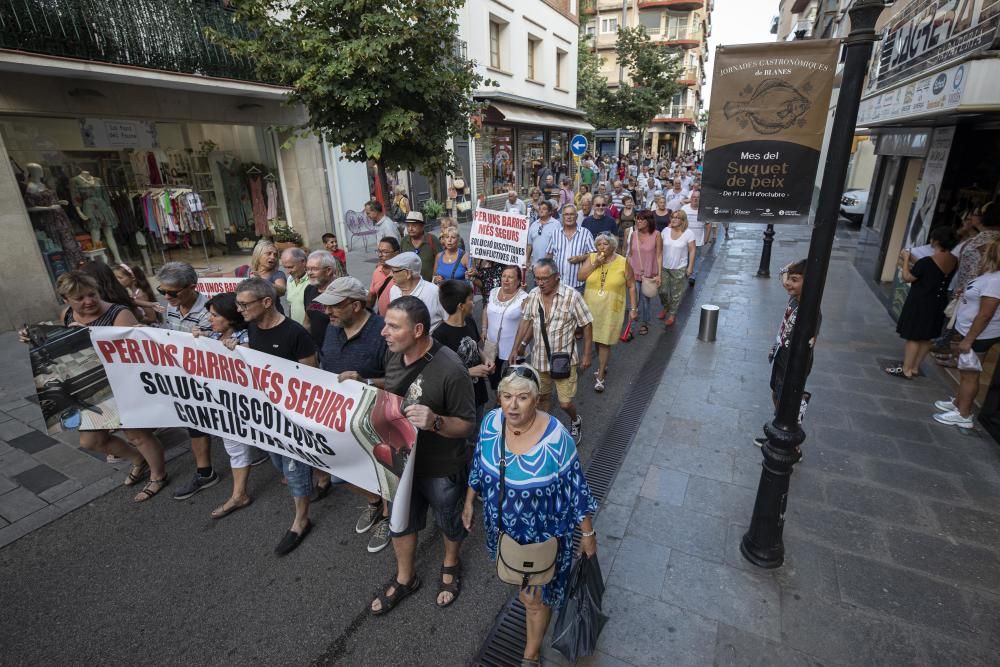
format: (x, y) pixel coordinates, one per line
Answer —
(978, 322)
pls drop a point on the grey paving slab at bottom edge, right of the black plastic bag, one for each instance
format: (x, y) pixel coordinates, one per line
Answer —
(644, 632)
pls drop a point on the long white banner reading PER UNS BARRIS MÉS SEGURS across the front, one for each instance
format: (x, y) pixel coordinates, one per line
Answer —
(169, 378)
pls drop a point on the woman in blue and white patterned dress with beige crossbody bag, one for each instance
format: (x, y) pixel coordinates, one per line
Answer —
(547, 494)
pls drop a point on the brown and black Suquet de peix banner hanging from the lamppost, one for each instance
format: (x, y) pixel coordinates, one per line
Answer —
(765, 130)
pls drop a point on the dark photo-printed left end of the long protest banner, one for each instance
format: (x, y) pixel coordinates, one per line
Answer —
(70, 381)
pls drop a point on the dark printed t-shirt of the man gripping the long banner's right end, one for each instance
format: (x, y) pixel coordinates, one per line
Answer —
(444, 386)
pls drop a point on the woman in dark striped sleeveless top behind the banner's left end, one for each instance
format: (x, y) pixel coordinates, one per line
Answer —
(86, 308)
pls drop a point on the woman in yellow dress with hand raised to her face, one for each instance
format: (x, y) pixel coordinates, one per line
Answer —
(607, 276)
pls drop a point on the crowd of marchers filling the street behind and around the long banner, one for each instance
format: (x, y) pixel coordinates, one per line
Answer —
(598, 261)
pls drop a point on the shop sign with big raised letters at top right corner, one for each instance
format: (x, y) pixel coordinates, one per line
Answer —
(930, 33)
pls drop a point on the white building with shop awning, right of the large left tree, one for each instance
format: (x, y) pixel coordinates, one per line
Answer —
(529, 49)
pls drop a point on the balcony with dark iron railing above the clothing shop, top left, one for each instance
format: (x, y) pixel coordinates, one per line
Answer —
(141, 33)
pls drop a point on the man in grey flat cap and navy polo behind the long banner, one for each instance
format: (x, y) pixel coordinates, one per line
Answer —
(355, 349)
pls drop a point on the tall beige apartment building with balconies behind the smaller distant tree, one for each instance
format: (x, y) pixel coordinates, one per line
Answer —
(682, 24)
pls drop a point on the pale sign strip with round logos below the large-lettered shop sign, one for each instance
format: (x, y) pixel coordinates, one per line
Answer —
(933, 93)
